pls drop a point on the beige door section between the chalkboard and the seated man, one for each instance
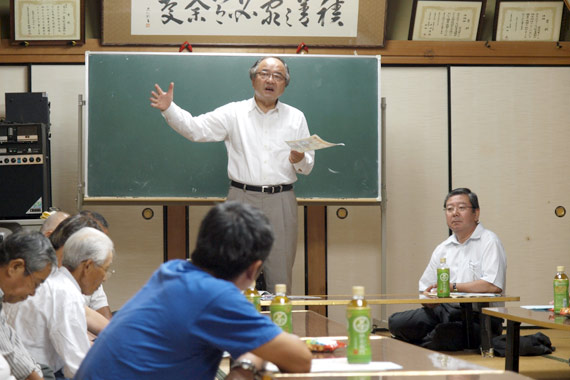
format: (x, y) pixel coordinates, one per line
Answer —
(416, 172)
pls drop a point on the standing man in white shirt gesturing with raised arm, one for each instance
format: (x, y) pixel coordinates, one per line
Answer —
(261, 166)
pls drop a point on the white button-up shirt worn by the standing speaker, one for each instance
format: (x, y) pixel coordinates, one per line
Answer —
(255, 141)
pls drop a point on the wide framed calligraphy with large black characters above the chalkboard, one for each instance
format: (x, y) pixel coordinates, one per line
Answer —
(244, 23)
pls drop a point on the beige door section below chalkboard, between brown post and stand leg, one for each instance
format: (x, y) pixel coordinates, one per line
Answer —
(353, 254)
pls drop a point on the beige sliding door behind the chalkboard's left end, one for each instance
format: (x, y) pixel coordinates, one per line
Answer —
(138, 242)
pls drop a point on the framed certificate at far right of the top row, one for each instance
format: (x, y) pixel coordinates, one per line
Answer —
(538, 20)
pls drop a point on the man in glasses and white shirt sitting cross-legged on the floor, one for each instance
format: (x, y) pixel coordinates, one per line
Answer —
(477, 264)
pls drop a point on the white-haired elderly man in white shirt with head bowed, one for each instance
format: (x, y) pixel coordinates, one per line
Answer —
(53, 326)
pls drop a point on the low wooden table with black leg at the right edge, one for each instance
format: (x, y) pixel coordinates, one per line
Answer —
(517, 315)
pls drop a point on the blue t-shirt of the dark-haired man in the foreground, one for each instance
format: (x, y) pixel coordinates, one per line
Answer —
(177, 327)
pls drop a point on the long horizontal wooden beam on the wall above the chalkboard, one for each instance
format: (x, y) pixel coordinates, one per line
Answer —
(394, 52)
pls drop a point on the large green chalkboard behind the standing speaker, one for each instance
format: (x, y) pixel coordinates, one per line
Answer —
(131, 153)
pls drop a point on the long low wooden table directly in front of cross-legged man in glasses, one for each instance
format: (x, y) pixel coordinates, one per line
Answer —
(466, 304)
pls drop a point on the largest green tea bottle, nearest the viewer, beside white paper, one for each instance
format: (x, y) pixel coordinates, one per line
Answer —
(359, 326)
